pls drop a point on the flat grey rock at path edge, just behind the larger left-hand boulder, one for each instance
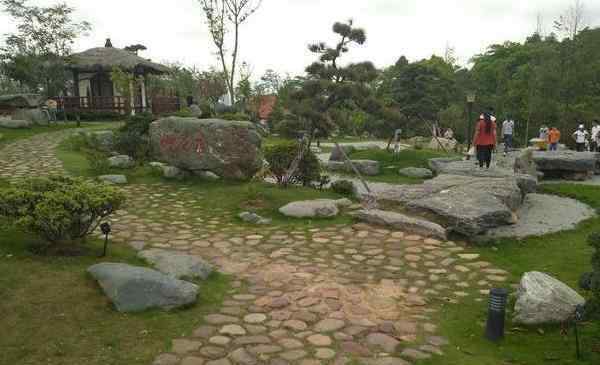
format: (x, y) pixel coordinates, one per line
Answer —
(177, 265)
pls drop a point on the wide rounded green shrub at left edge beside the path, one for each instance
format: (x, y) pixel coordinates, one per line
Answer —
(59, 209)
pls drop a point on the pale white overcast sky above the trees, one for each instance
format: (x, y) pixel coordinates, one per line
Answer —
(277, 35)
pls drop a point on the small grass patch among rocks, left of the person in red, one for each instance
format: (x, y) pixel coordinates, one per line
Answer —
(391, 163)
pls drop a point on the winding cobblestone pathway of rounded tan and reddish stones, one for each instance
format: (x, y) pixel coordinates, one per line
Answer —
(311, 296)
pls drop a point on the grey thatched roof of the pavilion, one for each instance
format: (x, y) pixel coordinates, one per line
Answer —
(107, 58)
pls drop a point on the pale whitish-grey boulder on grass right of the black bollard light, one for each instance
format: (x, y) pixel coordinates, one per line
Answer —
(542, 299)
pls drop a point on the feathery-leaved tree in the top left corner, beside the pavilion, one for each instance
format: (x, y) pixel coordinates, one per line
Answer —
(34, 54)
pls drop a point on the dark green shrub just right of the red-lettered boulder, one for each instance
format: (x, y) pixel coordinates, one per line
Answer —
(280, 158)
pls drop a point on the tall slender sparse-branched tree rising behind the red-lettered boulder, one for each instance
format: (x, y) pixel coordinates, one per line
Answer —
(225, 16)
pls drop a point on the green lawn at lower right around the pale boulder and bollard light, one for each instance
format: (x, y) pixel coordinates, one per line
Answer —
(565, 256)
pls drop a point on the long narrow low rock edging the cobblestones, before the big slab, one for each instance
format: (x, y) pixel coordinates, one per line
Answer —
(402, 222)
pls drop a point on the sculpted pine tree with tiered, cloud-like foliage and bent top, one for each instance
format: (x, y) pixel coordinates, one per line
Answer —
(330, 87)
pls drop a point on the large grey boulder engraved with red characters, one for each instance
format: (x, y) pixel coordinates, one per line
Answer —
(229, 149)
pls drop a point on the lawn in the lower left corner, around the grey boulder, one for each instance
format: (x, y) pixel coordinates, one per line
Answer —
(54, 313)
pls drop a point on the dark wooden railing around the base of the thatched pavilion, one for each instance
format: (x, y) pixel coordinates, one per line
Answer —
(115, 104)
